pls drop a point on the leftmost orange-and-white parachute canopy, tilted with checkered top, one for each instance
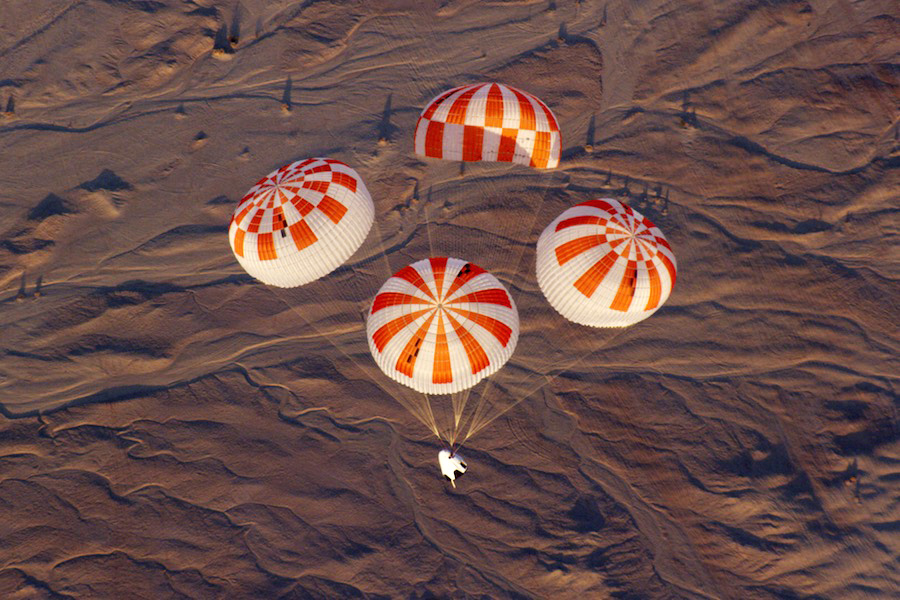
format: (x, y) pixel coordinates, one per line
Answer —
(301, 222)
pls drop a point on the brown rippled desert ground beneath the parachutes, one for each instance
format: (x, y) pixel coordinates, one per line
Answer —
(173, 429)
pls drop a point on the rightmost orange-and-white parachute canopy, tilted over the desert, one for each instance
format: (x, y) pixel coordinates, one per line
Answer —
(603, 264)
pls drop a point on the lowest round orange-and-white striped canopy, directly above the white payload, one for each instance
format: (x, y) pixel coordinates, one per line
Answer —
(441, 325)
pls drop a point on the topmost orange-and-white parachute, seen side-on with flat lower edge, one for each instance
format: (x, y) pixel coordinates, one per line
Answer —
(492, 122)
